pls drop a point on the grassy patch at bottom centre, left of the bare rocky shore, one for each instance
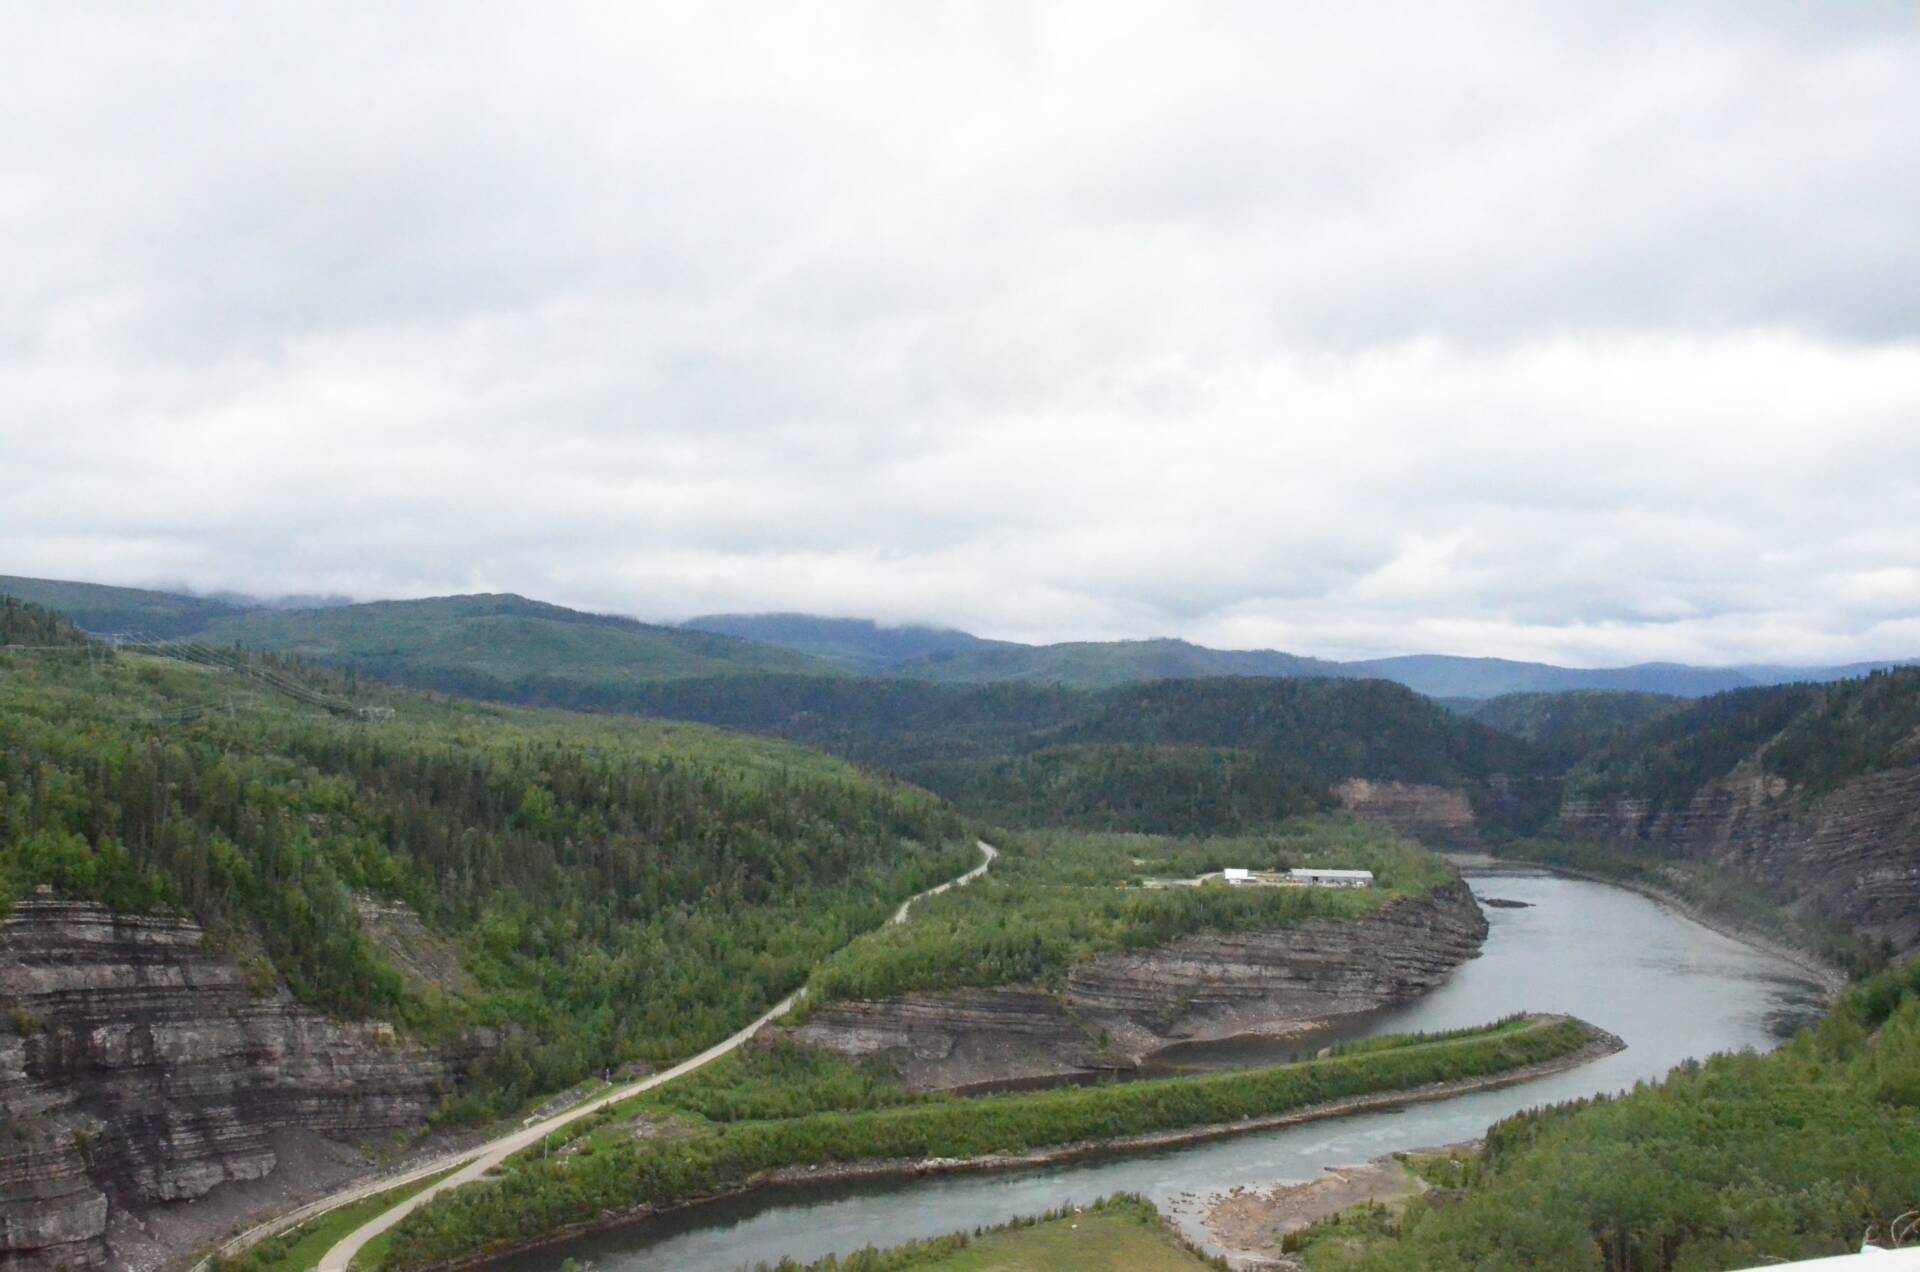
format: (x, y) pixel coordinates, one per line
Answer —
(1116, 1235)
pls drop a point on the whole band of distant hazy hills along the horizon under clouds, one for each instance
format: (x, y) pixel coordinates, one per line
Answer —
(468, 643)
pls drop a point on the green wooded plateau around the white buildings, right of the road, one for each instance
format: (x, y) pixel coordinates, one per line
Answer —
(1059, 898)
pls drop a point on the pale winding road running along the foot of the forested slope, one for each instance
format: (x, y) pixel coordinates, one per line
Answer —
(479, 1160)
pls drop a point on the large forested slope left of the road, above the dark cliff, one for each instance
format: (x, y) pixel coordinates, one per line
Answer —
(592, 889)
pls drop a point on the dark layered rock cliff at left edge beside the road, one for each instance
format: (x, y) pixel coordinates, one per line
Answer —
(141, 1069)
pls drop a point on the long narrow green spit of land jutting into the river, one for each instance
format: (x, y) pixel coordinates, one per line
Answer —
(612, 1171)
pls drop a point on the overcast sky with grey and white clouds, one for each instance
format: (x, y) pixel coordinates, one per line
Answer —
(1583, 333)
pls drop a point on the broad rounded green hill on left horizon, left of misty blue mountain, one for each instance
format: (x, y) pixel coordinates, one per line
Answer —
(491, 647)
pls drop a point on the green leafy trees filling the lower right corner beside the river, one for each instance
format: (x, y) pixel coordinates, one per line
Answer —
(1729, 1163)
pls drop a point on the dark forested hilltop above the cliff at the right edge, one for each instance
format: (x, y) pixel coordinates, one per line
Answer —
(1817, 737)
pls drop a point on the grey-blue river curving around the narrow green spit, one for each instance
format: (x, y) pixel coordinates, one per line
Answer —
(1666, 985)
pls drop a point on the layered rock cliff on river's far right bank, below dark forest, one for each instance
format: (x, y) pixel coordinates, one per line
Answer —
(1852, 854)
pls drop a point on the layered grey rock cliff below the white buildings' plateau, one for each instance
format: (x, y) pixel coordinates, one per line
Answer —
(1120, 1008)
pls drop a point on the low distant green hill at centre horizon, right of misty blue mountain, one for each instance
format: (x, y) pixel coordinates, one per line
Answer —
(1107, 664)
